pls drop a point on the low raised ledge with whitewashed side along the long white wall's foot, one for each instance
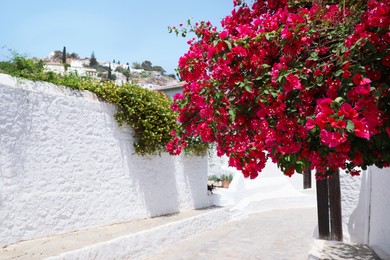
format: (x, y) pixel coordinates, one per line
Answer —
(131, 240)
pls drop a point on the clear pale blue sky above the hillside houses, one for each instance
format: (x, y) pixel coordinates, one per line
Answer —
(125, 30)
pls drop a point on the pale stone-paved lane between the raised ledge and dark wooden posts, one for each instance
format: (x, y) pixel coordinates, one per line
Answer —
(273, 234)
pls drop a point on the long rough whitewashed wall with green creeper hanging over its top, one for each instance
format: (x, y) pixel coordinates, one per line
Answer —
(65, 165)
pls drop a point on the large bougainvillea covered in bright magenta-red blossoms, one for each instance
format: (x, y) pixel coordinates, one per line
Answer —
(305, 83)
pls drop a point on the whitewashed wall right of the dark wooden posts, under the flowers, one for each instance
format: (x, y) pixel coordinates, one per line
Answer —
(366, 209)
